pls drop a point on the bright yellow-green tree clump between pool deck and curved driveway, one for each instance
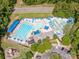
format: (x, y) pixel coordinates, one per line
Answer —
(42, 47)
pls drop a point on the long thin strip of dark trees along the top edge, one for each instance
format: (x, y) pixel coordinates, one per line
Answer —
(36, 2)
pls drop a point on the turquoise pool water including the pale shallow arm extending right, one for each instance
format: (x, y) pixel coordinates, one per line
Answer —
(24, 29)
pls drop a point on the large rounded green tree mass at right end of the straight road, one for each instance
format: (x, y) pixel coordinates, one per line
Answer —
(63, 9)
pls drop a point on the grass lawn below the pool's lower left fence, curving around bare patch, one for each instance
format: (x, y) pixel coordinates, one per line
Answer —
(22, 49)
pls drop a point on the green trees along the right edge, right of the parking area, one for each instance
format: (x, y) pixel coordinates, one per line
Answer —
(75, 43)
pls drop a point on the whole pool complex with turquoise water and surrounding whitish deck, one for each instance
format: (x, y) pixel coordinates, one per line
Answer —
(28, 26)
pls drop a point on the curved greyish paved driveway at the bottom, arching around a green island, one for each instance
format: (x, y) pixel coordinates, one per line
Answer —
(63, 54)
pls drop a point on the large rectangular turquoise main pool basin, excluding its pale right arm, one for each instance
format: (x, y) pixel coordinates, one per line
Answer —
(22, 32)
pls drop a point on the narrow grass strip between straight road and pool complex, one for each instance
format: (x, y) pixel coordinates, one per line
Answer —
(30, 15)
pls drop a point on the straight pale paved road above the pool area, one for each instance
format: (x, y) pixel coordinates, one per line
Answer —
(34, 10)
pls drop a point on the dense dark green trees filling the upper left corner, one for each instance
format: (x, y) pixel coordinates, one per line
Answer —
(6, 8)
